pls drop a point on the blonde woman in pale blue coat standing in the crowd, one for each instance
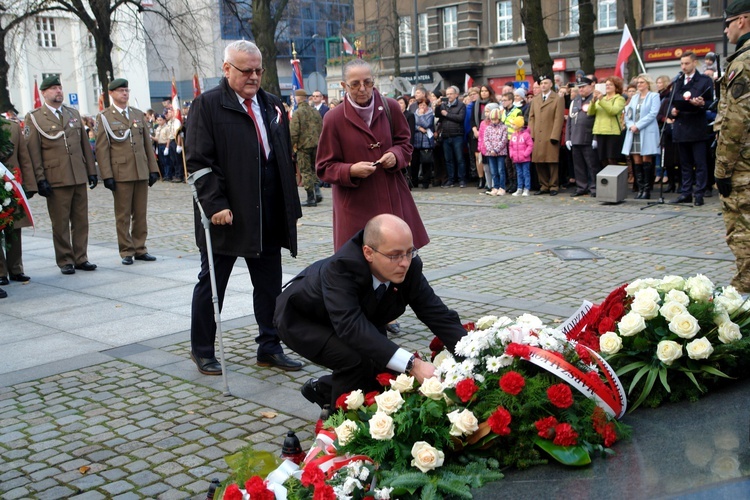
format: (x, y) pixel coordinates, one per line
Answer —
(642, 138)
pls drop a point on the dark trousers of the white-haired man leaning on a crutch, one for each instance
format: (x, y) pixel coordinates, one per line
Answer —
(265, 273)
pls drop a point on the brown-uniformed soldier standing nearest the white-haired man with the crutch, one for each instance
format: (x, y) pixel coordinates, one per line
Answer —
(128, 167)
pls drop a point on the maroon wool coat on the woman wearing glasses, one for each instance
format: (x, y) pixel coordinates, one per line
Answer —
(346, 140)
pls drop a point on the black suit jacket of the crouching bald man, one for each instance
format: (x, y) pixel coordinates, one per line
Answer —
(335, 296)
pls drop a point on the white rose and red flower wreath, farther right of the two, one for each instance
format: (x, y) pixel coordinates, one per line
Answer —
(687, 334)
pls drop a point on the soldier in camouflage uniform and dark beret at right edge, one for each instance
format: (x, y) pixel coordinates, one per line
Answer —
(733, 147)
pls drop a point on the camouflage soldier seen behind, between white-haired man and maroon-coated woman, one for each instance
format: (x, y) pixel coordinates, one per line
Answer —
(305, 129)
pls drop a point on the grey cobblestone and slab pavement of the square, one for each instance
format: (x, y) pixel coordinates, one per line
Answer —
(134, 419)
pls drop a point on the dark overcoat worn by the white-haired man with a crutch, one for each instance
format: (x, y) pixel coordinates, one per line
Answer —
(222, 137)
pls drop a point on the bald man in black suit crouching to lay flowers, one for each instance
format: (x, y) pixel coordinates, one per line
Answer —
(334, 312)
